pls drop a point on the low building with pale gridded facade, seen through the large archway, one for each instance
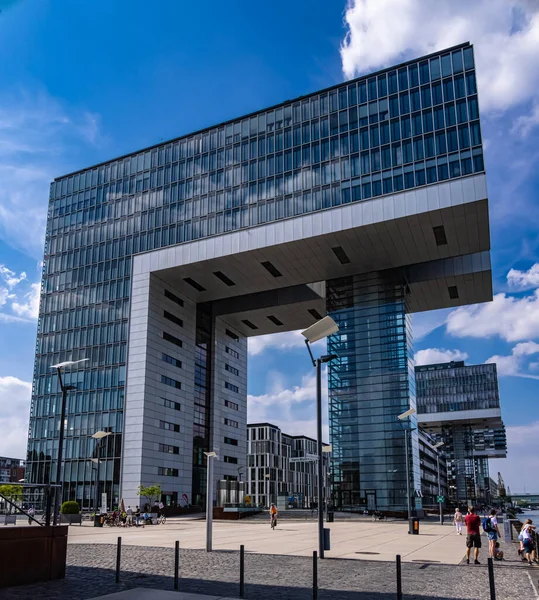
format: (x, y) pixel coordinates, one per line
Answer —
(282, 468)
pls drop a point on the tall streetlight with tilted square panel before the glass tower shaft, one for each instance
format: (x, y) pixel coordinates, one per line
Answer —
(318, 331)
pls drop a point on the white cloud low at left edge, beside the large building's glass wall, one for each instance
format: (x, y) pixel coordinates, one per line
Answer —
(15, 402)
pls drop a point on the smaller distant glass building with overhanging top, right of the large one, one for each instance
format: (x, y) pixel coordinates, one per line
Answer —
(460, 406)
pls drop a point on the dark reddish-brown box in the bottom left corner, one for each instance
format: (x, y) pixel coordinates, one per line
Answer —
(47, 547)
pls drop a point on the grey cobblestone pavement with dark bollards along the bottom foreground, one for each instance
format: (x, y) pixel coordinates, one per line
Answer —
(271, 577)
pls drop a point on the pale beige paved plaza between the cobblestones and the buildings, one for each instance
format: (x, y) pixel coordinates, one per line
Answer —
(378, 541)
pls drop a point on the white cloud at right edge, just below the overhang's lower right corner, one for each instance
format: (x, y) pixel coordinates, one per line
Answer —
(511, 318)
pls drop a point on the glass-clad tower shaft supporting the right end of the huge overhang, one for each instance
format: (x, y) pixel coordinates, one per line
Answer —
(370, 384)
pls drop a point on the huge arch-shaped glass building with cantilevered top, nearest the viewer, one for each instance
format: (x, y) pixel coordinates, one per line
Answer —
(366, 200)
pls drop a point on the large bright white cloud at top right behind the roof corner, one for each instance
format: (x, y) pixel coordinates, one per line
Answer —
(505, 34)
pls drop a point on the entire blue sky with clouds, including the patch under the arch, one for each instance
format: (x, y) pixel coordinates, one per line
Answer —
(86, 81)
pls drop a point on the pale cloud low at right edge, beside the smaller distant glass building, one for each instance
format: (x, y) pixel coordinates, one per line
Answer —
(520, 463)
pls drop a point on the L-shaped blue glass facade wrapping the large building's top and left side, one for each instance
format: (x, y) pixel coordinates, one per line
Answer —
(409, 126)
